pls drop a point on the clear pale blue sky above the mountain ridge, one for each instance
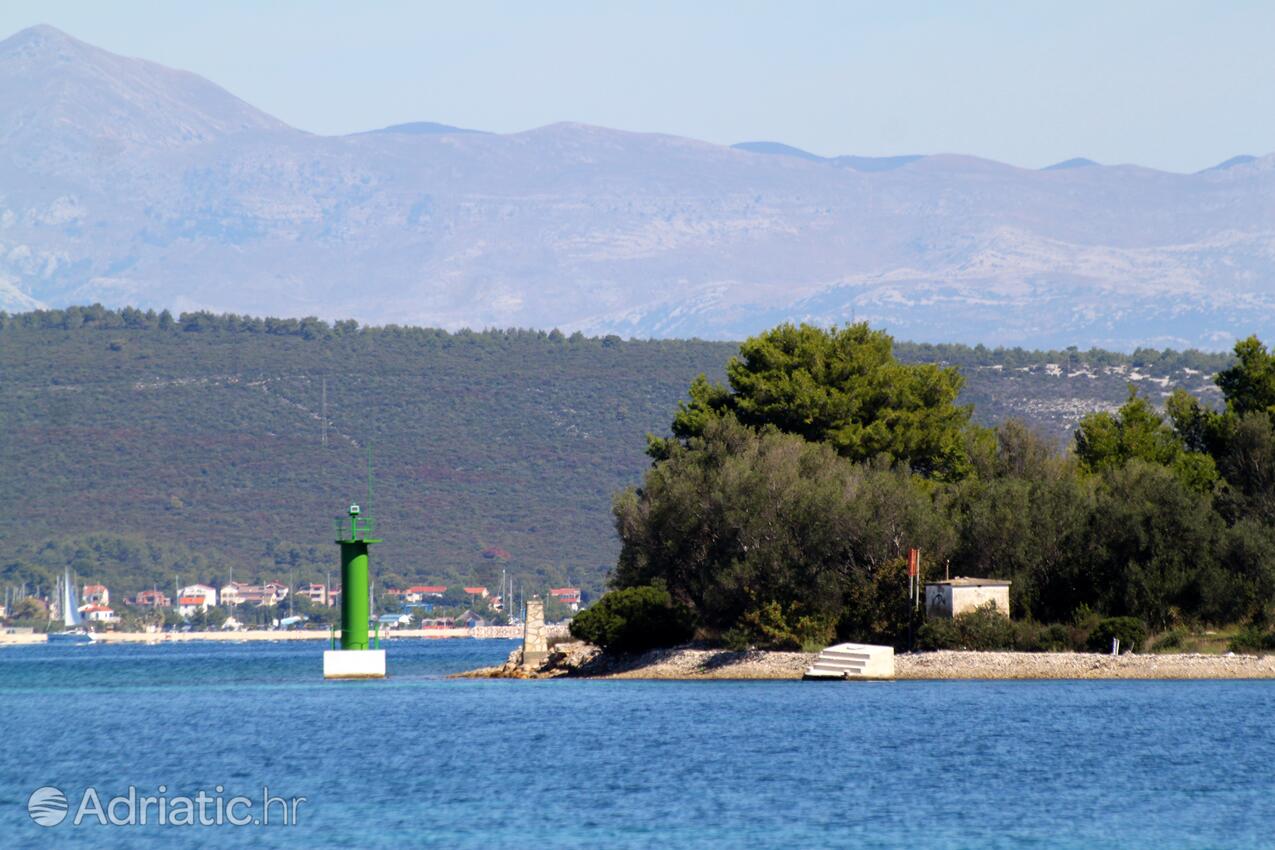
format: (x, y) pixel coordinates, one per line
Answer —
(1169, 85)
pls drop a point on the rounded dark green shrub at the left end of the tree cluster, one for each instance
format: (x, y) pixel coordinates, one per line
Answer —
(634, 620)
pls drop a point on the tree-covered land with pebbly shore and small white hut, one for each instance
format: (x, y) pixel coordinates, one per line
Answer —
(832, 494)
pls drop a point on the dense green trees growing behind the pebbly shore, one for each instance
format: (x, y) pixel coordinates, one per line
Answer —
(782, 509)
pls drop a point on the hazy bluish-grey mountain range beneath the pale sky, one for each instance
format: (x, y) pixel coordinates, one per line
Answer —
(127, 183)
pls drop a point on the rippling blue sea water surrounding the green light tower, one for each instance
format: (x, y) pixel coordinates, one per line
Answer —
(424, 761)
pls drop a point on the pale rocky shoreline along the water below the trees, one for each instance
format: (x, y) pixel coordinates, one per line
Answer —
(692, 663)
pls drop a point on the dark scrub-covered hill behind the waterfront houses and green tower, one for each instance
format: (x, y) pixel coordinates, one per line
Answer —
(135, 447)
